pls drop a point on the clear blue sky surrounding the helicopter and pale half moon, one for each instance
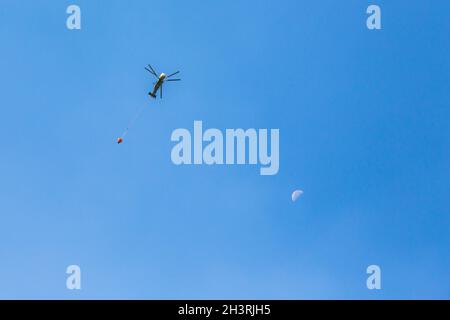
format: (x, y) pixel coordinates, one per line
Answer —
(364, 131)
